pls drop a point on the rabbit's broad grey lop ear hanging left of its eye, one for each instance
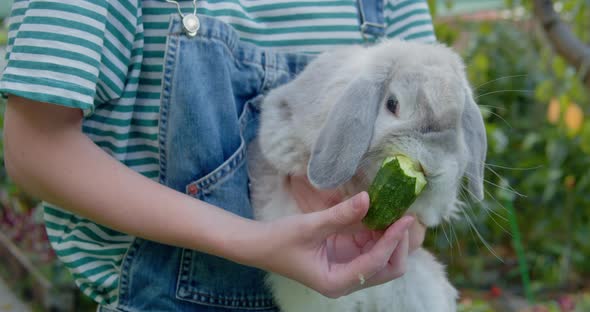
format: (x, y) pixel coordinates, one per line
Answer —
(346, 134)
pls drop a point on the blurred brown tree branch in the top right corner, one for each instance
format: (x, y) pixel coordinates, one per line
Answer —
(562, 38)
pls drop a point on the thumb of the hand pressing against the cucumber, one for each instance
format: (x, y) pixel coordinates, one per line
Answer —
(343, 215)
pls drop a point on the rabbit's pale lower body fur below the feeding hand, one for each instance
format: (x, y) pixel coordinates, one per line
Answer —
(423, 287)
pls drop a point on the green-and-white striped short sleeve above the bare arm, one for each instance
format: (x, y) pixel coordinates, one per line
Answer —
(72, 53)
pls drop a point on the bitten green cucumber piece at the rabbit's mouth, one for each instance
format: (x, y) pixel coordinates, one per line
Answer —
(396, 186)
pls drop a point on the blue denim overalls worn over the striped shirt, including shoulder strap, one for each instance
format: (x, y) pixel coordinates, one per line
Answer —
(211, 91)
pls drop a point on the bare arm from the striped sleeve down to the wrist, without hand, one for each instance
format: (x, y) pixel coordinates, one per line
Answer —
(47, 155)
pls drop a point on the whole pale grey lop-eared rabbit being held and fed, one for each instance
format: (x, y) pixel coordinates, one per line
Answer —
(344, 113)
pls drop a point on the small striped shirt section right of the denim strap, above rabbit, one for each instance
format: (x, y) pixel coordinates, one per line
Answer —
(409, 20)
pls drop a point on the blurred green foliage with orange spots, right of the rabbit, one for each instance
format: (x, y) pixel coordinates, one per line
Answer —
(534, 150)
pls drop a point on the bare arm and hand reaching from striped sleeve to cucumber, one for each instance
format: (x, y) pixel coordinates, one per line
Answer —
(48, 155)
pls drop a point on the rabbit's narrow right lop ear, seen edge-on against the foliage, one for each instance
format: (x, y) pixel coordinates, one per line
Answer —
(476, 142)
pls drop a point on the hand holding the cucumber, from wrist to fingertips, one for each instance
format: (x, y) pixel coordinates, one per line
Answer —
(331, 252)
